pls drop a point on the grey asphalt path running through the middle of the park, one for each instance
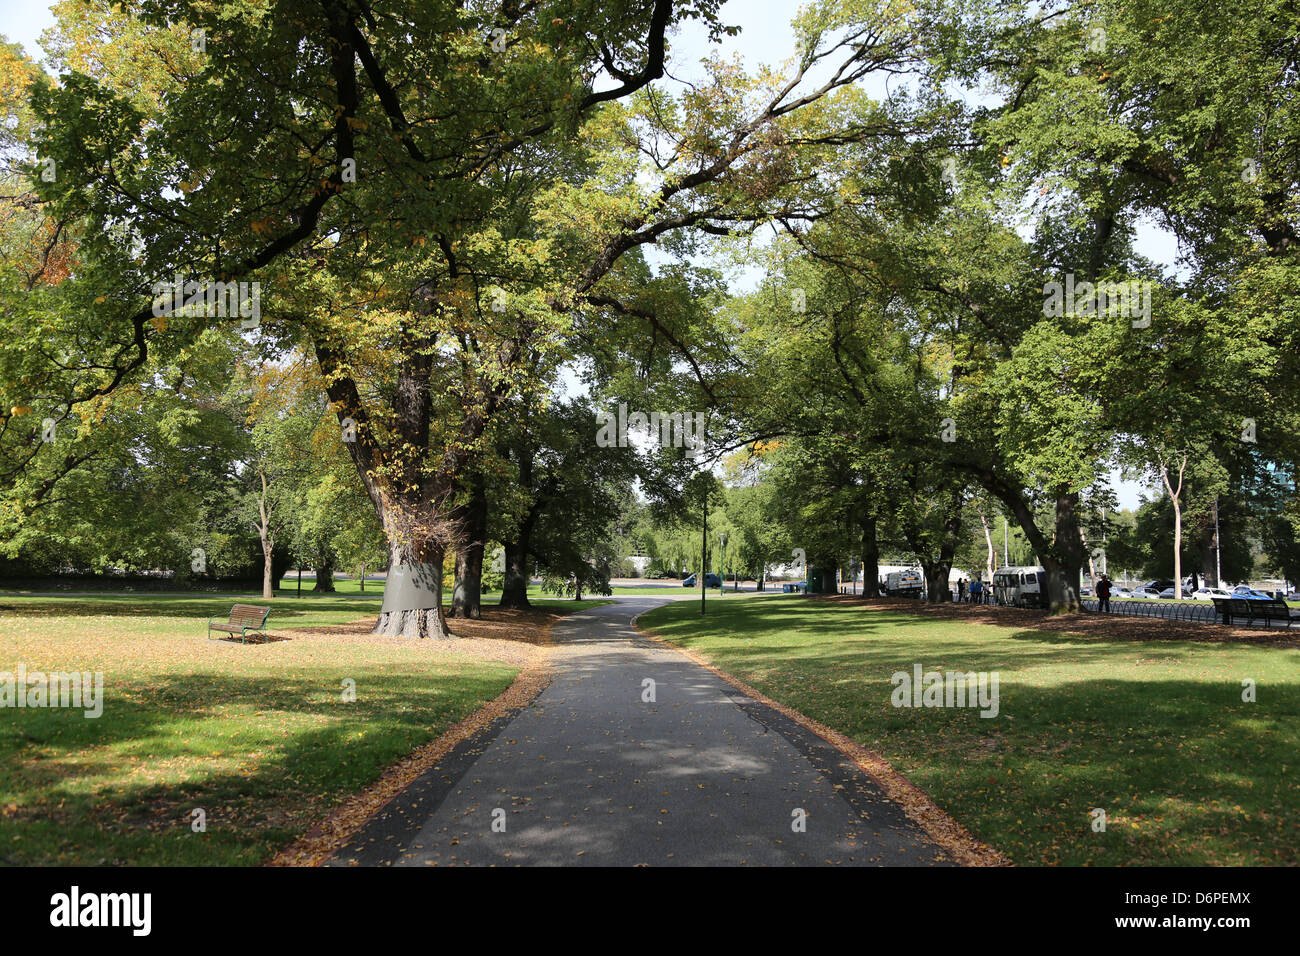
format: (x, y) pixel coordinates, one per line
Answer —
(592, 775)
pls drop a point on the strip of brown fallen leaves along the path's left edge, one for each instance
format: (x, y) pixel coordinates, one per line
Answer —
(346, 820)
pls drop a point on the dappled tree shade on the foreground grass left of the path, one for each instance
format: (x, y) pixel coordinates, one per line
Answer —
(263, 758)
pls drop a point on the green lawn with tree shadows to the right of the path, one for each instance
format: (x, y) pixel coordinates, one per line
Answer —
(1154, 733)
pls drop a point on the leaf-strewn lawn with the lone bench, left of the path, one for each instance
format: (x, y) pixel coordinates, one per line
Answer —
(258, 737)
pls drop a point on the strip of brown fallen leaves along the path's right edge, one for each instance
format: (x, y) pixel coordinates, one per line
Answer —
(947, 833)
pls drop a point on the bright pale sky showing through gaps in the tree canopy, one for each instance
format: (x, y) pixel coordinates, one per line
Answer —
(765, 37)
